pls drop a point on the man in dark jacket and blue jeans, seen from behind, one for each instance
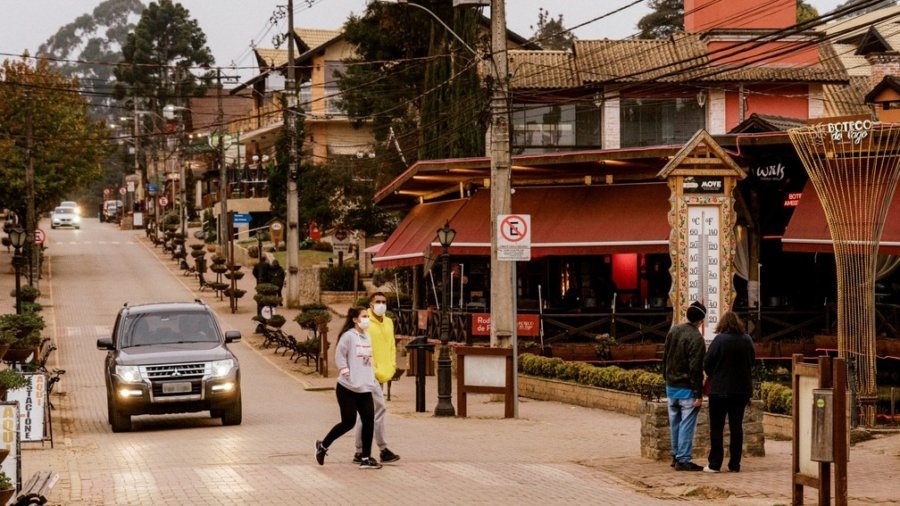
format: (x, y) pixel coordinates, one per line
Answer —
(683, 373)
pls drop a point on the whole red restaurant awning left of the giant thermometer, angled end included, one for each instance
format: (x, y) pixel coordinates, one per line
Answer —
(583, 220)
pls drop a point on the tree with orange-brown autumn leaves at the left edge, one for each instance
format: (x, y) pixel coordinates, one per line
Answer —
(67, 145)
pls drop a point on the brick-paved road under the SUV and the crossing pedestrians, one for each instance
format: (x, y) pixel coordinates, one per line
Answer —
(192, 459)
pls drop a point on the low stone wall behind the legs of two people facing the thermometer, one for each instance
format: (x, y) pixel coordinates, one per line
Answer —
(656, 443)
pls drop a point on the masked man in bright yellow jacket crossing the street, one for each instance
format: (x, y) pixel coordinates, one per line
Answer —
(384, 355)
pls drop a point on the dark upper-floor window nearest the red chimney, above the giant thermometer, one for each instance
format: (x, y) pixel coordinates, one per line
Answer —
(659, 121)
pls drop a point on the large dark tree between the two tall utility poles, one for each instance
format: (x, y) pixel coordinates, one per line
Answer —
(423, 85)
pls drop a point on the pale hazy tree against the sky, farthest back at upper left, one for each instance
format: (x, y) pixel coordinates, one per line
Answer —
(89, 46)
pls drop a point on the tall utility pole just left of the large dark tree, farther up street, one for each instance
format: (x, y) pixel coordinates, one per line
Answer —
(293, 211)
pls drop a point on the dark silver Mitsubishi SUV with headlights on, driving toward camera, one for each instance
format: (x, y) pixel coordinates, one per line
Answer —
(170, 358)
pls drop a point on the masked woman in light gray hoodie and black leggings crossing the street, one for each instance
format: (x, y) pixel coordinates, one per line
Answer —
(356, 382)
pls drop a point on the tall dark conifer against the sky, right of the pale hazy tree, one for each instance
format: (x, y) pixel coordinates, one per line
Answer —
(158, 57)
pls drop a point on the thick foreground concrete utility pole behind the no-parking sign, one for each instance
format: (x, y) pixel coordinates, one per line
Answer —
(502, 286)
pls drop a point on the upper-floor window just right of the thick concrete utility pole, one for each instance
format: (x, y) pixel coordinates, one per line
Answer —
(547, 128)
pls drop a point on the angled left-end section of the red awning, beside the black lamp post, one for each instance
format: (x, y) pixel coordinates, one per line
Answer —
(413, 236)
